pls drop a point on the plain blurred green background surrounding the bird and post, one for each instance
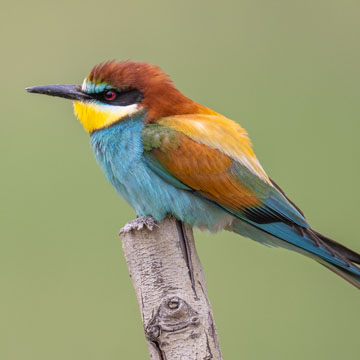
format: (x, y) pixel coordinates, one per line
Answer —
(288, 71)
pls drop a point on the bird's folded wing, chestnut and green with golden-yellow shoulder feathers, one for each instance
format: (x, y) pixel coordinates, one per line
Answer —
(212, 156)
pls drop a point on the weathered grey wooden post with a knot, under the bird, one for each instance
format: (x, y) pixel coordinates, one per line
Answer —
(170, 287)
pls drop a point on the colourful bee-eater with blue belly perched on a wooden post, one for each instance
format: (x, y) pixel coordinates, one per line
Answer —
(166, 154)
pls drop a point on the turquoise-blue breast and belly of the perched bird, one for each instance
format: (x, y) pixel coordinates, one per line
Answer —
(119, 152)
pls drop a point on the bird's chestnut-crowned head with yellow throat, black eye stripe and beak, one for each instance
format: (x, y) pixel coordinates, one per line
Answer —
(115, 91)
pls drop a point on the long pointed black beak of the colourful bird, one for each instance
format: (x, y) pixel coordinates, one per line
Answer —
(72, 92)
